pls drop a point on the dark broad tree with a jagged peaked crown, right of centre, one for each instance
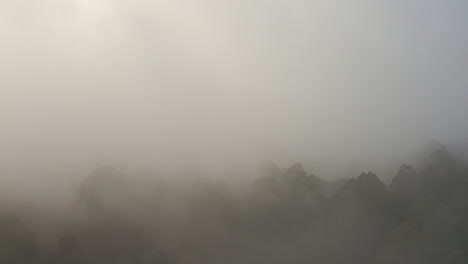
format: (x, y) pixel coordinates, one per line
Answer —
(360, 214)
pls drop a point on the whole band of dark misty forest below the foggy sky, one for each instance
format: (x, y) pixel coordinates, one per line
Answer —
(284, 216)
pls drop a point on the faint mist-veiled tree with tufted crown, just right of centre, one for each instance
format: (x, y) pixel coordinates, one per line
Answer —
(285, 202)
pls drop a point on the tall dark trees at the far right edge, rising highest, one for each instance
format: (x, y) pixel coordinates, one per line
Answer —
(435, 229)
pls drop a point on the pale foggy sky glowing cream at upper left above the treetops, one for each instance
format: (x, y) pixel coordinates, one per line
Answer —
(150, 82)
